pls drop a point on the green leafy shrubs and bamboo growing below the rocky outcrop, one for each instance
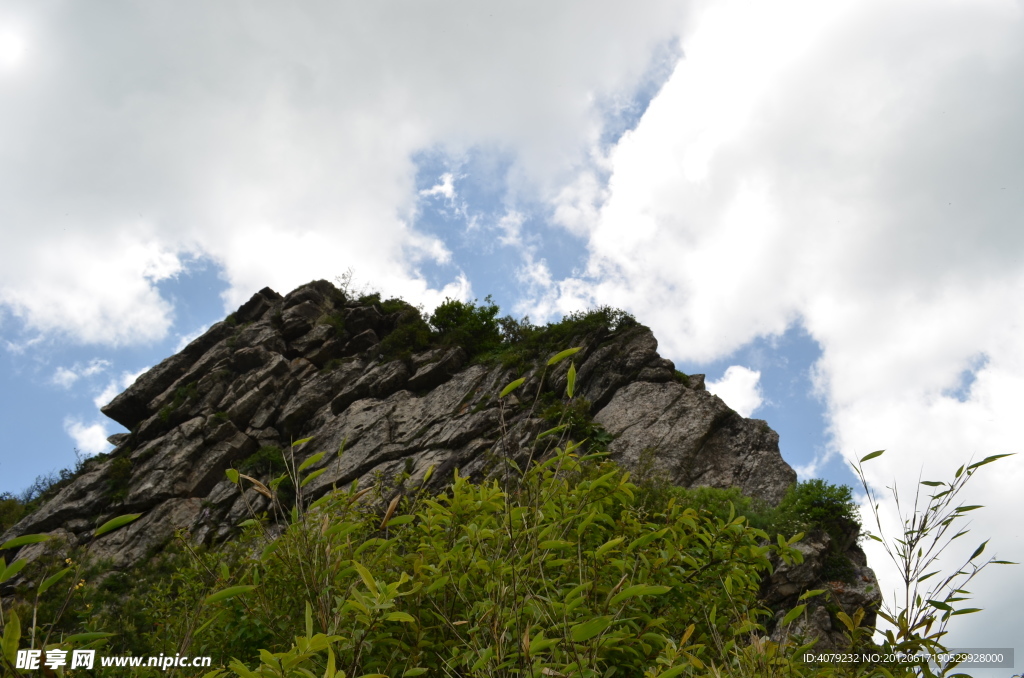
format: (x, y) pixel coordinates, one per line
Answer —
(563, 567)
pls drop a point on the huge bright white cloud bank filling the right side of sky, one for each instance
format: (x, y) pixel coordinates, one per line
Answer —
(856, 167)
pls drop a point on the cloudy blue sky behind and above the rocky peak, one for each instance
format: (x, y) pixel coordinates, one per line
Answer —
(818, 205)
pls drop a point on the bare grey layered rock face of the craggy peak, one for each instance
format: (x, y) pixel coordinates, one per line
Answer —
(312, 364)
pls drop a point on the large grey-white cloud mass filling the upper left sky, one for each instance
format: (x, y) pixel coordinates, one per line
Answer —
(281, 145)
